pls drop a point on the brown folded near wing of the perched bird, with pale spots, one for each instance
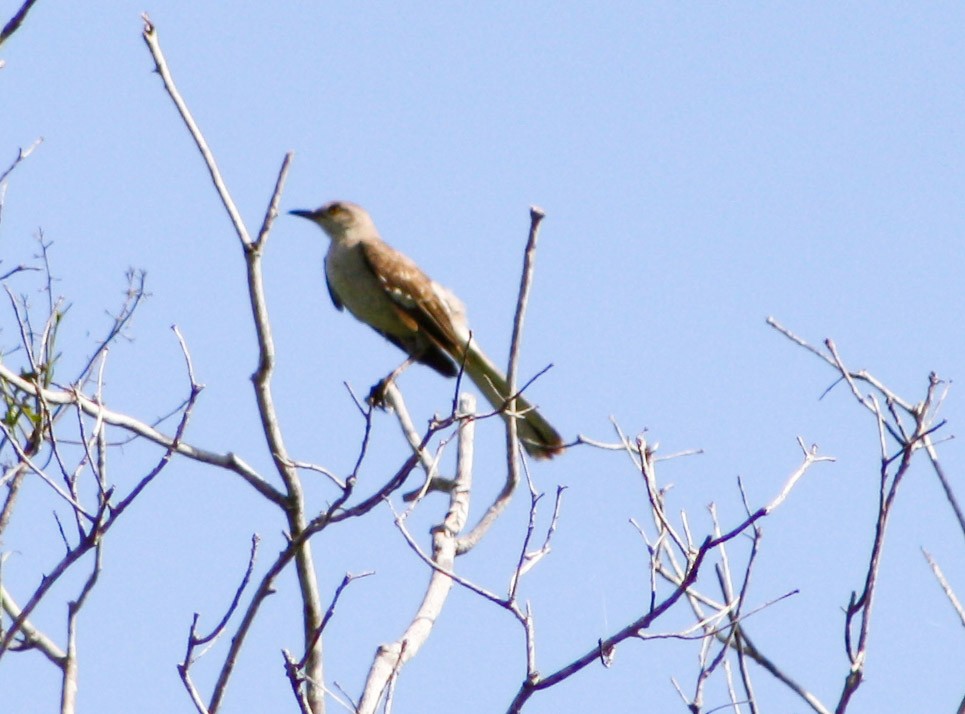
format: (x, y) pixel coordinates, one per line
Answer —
(414, 295)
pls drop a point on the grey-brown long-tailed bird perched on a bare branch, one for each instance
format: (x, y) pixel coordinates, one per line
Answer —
(387, 291)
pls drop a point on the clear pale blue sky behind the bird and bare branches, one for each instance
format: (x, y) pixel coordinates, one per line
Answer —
(701, 167)
